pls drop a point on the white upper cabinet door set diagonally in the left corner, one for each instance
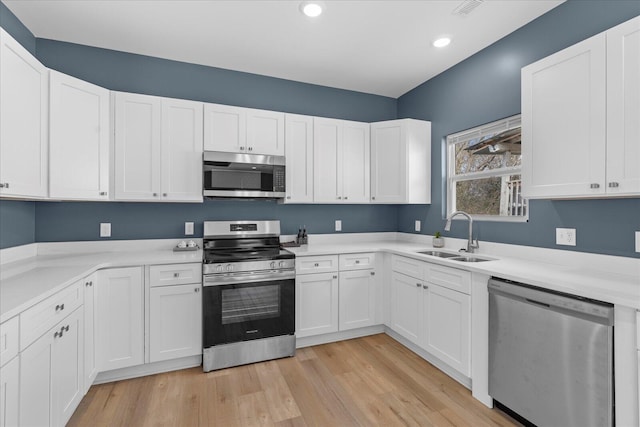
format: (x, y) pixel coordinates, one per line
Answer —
(78, 139)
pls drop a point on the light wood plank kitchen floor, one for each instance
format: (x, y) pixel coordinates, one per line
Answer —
(370, 381)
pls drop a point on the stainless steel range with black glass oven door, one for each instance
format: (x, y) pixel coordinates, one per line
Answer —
(248, 295)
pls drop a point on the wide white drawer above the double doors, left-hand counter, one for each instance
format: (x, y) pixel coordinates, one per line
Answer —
(43, 316)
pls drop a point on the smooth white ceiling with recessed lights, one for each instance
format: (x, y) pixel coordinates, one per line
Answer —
(380, 47)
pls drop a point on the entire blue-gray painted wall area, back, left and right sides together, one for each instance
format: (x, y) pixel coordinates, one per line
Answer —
(481, 89)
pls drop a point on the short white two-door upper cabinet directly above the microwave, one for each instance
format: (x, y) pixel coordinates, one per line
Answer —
(243, 130)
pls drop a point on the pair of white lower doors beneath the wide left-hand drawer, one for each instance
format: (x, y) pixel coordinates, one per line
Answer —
(51, 376)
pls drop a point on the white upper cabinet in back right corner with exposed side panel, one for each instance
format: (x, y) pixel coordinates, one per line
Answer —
(401, 161)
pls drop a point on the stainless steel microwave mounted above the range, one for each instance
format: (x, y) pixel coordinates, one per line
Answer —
(243, 175)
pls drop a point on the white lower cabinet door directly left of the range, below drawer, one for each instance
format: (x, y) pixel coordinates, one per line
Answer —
(175, 321)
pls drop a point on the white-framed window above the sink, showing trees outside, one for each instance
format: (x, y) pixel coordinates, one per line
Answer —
(483, 172)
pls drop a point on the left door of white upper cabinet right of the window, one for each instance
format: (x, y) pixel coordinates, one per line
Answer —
(563, 122)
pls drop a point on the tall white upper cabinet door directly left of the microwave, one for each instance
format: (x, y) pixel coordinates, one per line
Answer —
(181, 150)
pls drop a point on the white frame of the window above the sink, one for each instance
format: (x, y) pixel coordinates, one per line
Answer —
(452, 178)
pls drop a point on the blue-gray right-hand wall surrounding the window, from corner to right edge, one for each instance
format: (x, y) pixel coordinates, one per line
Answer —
(486, 87)
